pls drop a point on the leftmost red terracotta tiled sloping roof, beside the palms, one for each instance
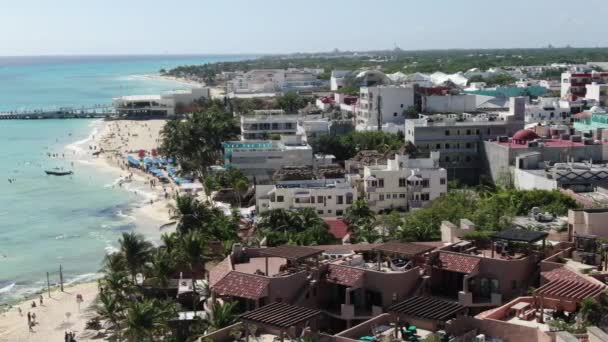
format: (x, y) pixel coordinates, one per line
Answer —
(242, 285)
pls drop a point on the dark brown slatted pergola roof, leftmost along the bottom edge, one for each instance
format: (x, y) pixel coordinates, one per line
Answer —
(280, 315)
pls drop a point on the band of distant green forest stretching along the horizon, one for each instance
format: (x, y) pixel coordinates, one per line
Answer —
(448, 61)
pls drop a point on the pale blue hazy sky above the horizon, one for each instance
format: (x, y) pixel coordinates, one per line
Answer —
(67, 27)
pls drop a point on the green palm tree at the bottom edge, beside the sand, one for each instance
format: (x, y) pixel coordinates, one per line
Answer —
(147, 319)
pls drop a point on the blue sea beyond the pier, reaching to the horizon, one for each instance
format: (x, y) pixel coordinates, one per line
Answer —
(74, 81)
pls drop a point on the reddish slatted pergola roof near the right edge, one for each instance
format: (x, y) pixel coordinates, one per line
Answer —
(570, 289)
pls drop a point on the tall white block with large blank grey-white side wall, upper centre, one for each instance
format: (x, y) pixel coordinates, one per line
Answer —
(383, 104)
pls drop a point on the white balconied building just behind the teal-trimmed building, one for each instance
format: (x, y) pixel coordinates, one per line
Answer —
(263, 123)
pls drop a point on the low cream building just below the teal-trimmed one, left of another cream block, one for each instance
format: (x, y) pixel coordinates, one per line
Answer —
(328, 197)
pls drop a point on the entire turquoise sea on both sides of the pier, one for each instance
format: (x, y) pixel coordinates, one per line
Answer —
(73, 221)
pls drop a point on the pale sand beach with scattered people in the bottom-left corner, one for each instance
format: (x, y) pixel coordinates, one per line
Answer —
(51, 316)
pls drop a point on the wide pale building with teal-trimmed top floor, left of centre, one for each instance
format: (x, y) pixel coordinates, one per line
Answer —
(261, 158)
